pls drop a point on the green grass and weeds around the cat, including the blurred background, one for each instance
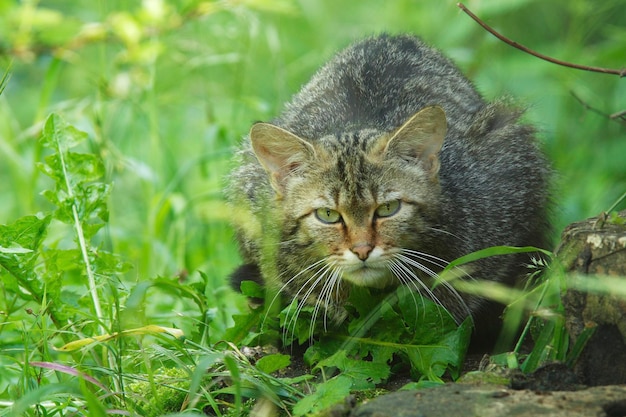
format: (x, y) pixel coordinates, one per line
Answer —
(164, 93)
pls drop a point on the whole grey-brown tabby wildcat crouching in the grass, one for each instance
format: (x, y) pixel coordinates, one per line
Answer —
(386, 166)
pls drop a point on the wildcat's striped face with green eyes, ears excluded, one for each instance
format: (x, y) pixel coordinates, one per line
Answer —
(357, 214)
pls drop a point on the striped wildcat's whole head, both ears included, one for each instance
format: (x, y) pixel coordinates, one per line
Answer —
(352, 204)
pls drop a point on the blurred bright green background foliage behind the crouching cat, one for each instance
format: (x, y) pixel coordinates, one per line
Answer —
(166, 89)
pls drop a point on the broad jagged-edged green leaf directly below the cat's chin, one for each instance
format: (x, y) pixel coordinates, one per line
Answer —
(399, 324)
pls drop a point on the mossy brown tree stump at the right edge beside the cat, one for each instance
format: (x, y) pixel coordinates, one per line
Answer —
(593, 253)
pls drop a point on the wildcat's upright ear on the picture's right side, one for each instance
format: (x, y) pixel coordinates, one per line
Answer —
(420, 138)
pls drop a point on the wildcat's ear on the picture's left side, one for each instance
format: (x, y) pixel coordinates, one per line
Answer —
(279, 151)
